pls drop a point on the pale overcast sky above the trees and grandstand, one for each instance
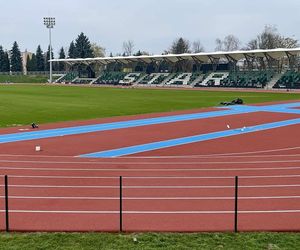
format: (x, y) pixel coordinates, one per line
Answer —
(151, 24)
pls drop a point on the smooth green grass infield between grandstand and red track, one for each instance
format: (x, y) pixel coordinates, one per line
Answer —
(21, 104)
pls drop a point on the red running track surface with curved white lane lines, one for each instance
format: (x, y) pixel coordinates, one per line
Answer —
(186, 188)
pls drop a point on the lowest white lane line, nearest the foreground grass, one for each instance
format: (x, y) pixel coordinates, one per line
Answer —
(150, 212)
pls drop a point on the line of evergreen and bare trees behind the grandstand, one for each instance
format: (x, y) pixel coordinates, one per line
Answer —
(11, 60)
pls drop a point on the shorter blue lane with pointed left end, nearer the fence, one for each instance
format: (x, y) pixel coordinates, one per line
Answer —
(188, 140)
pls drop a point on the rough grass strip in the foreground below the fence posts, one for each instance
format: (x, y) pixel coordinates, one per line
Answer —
(147, 241)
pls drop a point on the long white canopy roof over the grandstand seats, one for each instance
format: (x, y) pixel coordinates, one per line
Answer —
(197, 57)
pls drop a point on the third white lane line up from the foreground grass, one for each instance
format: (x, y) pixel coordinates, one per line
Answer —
(154, 187)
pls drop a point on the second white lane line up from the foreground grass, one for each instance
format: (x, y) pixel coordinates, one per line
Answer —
(150, 198)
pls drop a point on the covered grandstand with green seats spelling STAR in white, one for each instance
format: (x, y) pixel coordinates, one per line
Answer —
(275, 68)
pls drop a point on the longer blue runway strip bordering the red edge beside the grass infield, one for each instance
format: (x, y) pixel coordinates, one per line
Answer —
(233, 110)
